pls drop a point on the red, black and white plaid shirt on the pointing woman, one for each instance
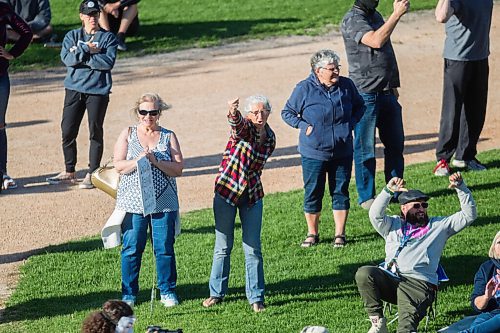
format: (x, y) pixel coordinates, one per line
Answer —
(243, 161)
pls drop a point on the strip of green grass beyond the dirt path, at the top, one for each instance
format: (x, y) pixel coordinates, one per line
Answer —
(168, 25)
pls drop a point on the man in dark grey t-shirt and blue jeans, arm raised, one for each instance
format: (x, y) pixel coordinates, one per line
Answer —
(374, 70)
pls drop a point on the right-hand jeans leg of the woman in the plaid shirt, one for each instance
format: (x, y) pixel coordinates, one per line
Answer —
(251, 226)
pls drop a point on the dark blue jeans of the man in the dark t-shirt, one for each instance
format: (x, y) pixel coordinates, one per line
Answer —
(383, 112)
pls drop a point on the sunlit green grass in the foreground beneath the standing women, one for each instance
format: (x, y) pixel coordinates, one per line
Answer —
(60, 286)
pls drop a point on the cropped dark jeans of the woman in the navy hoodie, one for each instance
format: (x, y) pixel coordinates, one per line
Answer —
(314, 174)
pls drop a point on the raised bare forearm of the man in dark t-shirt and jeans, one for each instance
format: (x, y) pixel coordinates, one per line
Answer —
(377, 38)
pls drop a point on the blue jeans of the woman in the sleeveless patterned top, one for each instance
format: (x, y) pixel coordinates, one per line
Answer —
(135, 232)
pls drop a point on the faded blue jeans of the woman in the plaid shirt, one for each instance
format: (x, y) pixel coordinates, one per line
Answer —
(251, 225)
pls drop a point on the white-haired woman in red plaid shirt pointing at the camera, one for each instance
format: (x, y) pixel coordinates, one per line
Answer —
(238, 187)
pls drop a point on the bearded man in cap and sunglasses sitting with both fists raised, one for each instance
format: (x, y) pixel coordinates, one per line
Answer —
(413, 246)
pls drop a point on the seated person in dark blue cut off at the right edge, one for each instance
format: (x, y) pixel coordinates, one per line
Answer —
(486, 295)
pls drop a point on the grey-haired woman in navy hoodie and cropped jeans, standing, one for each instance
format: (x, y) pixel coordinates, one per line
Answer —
(325, 107)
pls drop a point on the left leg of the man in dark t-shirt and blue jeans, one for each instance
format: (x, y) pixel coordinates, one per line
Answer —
(364, 151)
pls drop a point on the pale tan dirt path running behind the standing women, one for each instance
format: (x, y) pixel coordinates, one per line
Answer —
(198, 83)
